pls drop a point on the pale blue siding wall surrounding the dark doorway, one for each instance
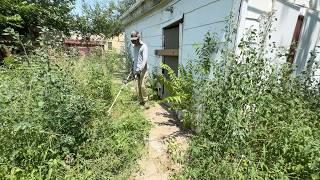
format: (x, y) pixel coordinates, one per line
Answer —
(199, 18)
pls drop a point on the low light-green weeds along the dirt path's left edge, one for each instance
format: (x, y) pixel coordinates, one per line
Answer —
(117, 144)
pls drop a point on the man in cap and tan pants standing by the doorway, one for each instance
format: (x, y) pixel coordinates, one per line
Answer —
(140, 56)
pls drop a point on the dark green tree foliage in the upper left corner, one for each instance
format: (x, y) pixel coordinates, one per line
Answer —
(26, 16)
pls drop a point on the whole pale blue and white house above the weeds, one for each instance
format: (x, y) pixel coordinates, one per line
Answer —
(172, 27)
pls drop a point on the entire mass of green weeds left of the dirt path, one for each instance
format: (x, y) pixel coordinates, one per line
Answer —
(54, 125)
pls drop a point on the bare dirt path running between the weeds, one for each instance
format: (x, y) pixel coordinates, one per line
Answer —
(157, 163)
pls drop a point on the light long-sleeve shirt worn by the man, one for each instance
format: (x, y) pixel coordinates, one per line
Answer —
(140, 56)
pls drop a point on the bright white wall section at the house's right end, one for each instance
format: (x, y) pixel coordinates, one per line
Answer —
(286, 13)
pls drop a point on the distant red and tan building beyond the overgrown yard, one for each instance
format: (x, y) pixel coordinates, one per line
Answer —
(88, 45)
